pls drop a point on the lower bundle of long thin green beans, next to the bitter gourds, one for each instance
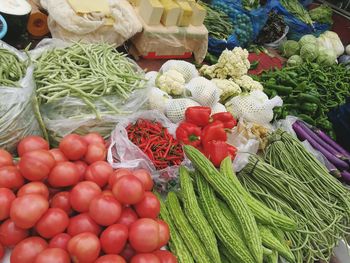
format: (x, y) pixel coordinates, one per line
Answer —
(322, 223)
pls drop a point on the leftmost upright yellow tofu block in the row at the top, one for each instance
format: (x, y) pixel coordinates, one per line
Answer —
(151, 11)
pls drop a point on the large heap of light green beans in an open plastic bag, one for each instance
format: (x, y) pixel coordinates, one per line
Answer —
(86, 71)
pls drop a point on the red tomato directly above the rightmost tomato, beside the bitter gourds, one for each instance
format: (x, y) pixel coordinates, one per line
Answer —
(149, 207)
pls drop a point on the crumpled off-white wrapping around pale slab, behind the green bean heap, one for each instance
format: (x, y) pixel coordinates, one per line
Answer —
(65, 24)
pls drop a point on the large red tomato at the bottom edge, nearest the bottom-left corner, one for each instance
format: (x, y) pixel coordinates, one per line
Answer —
(27, 250)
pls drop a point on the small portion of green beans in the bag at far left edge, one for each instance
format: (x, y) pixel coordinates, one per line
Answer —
(12, 69)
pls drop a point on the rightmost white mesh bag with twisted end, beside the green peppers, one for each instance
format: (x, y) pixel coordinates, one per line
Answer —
(254, 107)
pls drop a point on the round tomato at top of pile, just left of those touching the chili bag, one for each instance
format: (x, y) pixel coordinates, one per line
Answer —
(73, 147)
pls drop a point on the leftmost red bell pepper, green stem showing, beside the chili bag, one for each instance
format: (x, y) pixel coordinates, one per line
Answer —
(189, 134)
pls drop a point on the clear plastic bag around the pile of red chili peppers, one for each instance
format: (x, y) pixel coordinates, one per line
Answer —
(122, 153)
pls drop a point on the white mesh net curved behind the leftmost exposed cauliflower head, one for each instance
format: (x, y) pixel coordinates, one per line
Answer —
(187, 69)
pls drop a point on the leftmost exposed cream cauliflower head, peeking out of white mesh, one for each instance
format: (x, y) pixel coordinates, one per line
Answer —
(171, 82)
